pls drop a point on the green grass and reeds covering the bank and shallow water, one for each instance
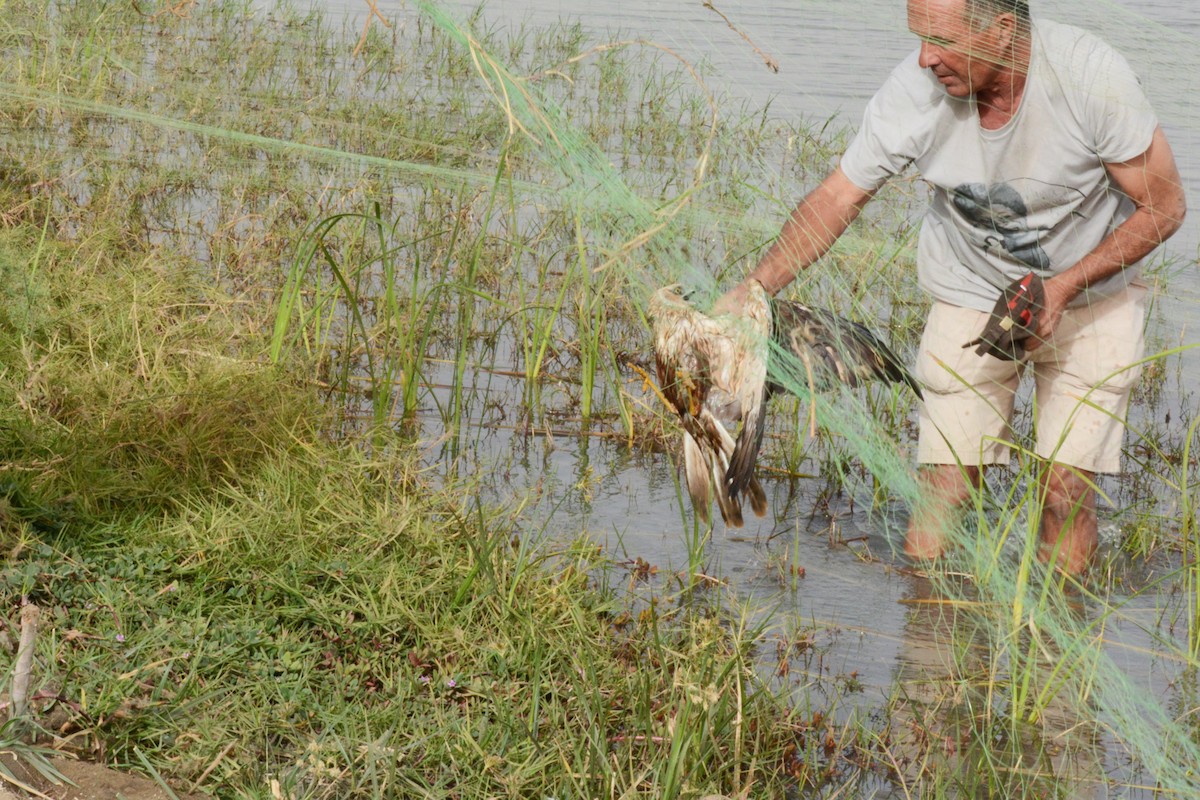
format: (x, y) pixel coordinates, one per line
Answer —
(275, 290)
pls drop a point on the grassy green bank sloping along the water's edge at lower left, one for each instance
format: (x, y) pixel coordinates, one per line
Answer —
(248, 604)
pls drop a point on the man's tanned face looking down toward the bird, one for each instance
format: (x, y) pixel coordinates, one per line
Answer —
(964, 61)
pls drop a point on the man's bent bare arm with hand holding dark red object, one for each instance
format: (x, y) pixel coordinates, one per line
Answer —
(1153, 182)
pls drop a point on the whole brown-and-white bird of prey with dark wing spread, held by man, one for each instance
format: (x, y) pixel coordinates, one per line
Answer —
(722, 370)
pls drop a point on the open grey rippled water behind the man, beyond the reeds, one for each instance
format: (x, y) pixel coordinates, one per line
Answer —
(833, 56)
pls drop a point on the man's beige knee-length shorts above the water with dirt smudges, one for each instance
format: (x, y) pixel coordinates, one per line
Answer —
(969, 399)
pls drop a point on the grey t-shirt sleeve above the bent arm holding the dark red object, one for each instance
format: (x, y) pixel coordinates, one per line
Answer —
(1115, 109)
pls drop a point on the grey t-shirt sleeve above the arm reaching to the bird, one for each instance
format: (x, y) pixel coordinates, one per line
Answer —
(889, 140)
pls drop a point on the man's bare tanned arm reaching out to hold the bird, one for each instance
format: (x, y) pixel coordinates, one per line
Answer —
(817, 224)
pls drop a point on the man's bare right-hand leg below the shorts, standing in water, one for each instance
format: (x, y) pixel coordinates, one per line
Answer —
(1069, 519)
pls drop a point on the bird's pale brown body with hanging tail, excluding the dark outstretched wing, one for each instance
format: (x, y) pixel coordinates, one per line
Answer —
(713, 370)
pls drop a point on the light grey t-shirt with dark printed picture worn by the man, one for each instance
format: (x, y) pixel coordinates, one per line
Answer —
(1031, 196)
